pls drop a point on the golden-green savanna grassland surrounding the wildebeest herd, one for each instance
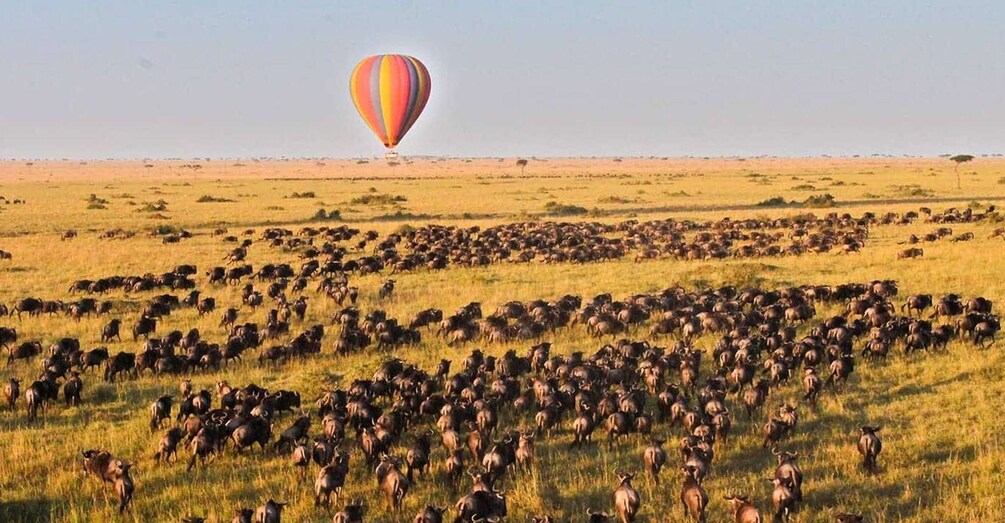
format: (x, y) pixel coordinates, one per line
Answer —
(944, 449)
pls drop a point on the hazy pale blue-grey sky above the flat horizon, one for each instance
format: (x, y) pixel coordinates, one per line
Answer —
(193, 79)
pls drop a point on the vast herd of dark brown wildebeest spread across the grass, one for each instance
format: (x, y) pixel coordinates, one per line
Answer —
(472, 423)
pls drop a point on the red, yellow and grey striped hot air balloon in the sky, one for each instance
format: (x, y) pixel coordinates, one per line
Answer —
(390, 92)
